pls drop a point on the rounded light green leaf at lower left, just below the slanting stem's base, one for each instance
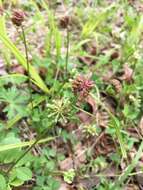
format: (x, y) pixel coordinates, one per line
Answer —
(23, 173)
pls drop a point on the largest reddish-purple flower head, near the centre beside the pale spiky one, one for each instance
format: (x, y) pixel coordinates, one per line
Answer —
(82, 86)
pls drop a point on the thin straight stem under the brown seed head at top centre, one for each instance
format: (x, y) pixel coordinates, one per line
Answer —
(67, 52)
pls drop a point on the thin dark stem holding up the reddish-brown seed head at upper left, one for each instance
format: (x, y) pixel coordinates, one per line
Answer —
(28, 67)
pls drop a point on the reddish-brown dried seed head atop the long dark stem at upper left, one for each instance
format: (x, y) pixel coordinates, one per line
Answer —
(18, 17)
